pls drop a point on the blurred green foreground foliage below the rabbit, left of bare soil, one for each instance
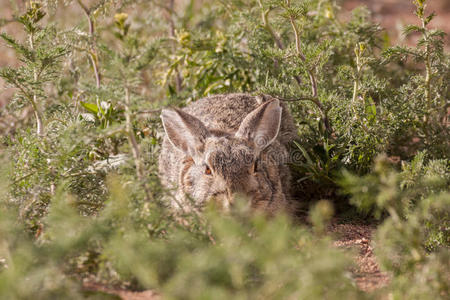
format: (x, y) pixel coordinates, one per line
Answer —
(225, 261)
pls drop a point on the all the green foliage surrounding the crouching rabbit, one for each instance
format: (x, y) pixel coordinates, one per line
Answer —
(80, 196)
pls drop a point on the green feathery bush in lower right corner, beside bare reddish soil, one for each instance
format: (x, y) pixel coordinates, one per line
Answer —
(413, 241)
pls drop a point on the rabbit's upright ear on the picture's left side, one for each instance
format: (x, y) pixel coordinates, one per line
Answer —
(184, 131)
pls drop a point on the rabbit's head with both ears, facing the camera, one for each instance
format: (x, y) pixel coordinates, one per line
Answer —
(218, 165)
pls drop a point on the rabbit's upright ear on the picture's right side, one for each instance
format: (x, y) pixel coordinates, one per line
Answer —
(261, 125)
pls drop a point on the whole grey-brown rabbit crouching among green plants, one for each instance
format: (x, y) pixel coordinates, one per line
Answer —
(223, 146)
